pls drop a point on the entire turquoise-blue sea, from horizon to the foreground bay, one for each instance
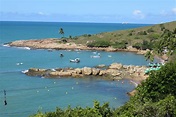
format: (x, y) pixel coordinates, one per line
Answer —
(26, 95)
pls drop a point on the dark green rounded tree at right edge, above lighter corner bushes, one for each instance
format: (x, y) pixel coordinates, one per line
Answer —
(160, 83)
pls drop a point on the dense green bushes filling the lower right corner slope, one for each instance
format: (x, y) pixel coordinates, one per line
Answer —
(156, 96)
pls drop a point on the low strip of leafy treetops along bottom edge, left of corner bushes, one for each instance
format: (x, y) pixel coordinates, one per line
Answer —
(96, 111)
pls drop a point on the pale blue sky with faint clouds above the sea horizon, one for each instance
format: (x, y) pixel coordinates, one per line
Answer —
(102, 11)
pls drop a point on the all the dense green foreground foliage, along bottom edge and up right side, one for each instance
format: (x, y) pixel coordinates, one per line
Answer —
(156, 97)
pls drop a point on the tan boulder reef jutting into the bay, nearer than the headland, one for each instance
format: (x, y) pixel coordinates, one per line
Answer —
(115, 71)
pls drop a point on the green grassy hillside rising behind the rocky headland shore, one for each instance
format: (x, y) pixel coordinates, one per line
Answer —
(129, 37)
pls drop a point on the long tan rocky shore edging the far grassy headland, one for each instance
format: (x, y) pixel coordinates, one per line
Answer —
(53, 43)
